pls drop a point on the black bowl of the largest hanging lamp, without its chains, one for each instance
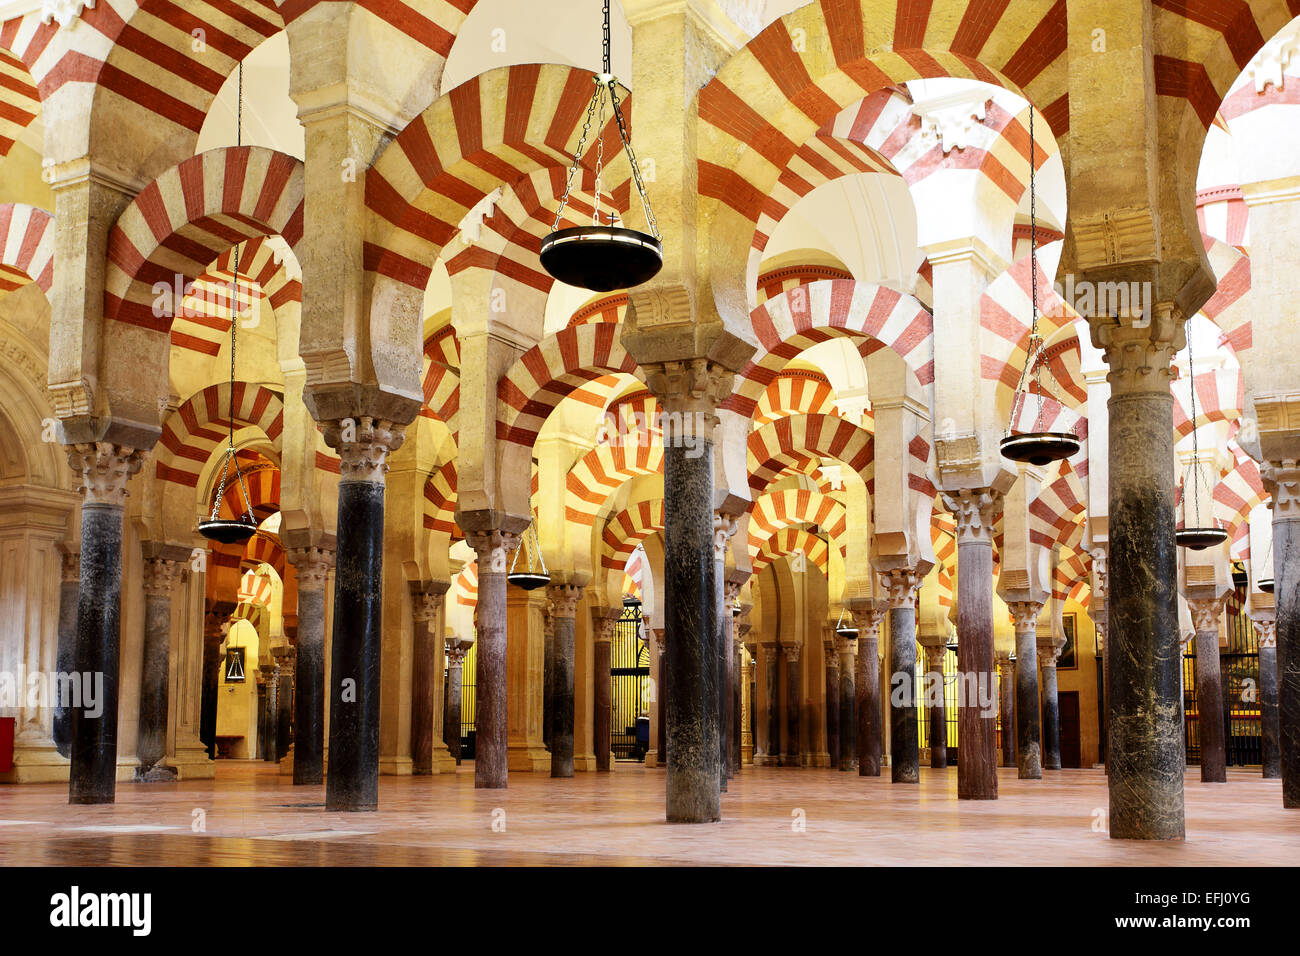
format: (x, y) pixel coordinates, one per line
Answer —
(601, 258)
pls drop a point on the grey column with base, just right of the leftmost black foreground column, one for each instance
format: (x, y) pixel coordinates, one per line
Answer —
(162, 574)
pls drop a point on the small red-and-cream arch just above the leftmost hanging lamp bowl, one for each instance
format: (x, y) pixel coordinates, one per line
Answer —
(196, 430)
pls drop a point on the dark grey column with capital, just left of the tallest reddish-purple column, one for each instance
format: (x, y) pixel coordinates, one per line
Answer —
(904, 746)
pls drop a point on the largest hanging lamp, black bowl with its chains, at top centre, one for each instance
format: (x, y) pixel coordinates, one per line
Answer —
(604, 257)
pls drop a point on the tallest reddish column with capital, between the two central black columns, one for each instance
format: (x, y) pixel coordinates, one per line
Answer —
(492, 728)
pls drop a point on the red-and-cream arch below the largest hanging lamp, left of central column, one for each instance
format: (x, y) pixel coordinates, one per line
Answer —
(548, 373)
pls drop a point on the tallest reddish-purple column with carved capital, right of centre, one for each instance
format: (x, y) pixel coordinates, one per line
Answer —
(976, 512)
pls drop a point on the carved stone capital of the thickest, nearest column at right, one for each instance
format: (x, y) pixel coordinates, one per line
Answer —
(1141, 349)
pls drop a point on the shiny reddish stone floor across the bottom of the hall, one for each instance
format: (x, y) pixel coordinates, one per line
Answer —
(252, 816)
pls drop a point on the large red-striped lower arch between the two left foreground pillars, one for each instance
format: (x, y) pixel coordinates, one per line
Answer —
(190, 215)
